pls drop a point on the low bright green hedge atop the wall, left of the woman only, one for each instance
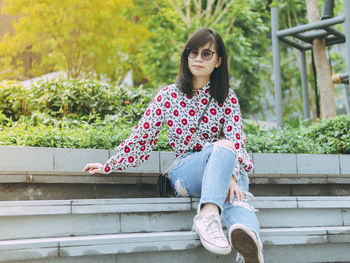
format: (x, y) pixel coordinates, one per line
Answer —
(40, 130)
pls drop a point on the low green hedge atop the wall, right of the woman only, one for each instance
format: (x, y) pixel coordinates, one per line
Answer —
(330, 136)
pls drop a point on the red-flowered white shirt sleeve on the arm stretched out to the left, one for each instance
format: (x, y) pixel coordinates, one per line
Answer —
(136, 149)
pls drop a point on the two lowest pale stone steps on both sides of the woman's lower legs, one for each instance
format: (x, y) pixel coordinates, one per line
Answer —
(294, 229)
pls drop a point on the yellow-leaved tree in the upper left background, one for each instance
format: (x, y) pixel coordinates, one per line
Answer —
(90, 37)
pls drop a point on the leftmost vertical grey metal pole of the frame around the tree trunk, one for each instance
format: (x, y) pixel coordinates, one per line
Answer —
(276, 67)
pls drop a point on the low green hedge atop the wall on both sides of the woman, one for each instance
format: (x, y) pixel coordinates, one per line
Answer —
(323, 137)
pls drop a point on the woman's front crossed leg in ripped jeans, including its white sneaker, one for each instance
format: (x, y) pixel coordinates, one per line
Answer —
(207, 175)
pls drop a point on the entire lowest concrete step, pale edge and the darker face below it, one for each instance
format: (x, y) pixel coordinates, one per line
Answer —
(316, 244)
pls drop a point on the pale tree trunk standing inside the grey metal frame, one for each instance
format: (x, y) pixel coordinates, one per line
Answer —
(322, 67)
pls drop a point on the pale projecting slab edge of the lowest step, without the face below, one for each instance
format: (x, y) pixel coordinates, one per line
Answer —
(154, 242)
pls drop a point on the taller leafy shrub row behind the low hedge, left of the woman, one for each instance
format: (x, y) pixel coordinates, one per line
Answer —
(74, 98)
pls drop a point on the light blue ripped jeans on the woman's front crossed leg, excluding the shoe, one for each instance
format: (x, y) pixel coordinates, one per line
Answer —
(205, 174)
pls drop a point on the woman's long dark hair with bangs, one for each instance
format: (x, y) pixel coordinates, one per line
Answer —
(219, 79)
